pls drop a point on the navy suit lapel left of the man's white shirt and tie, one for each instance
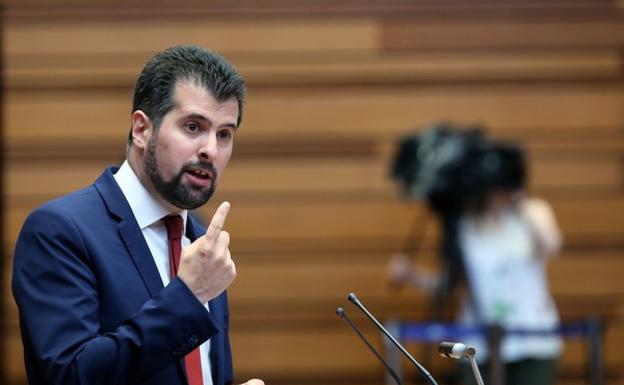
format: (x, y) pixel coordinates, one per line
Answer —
(129, 231)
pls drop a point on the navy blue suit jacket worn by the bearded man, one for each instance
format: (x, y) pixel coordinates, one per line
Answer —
(93, 309)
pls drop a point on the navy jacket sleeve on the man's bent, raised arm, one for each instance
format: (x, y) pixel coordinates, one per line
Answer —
(56, 291)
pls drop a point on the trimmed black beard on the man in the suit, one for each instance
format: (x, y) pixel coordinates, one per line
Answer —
(173, 191)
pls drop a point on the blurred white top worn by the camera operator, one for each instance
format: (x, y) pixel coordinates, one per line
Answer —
(507, 277)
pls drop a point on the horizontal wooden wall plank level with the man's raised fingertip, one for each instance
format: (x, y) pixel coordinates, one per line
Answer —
(338, 221)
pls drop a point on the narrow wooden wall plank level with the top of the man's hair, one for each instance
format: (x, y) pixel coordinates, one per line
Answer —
(332, 67)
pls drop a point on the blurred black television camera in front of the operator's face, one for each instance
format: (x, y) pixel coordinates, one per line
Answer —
(454, 167)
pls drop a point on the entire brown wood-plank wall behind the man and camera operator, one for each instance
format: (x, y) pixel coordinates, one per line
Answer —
(332, 86)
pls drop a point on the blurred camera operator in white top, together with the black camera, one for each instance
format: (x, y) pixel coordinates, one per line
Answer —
(496, 239)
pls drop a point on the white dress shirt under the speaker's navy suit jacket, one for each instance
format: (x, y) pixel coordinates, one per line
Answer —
(149, 214)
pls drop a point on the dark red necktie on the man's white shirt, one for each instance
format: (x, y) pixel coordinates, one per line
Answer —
(174, 225)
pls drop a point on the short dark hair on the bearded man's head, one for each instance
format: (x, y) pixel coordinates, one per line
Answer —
(154, 87)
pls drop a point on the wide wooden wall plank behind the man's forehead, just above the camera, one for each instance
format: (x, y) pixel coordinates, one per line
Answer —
(380, 113)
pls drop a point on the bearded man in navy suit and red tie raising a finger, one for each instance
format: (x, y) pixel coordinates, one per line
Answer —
(105, 294)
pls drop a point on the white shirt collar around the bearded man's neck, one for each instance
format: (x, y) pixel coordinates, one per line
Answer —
(145, 208)
